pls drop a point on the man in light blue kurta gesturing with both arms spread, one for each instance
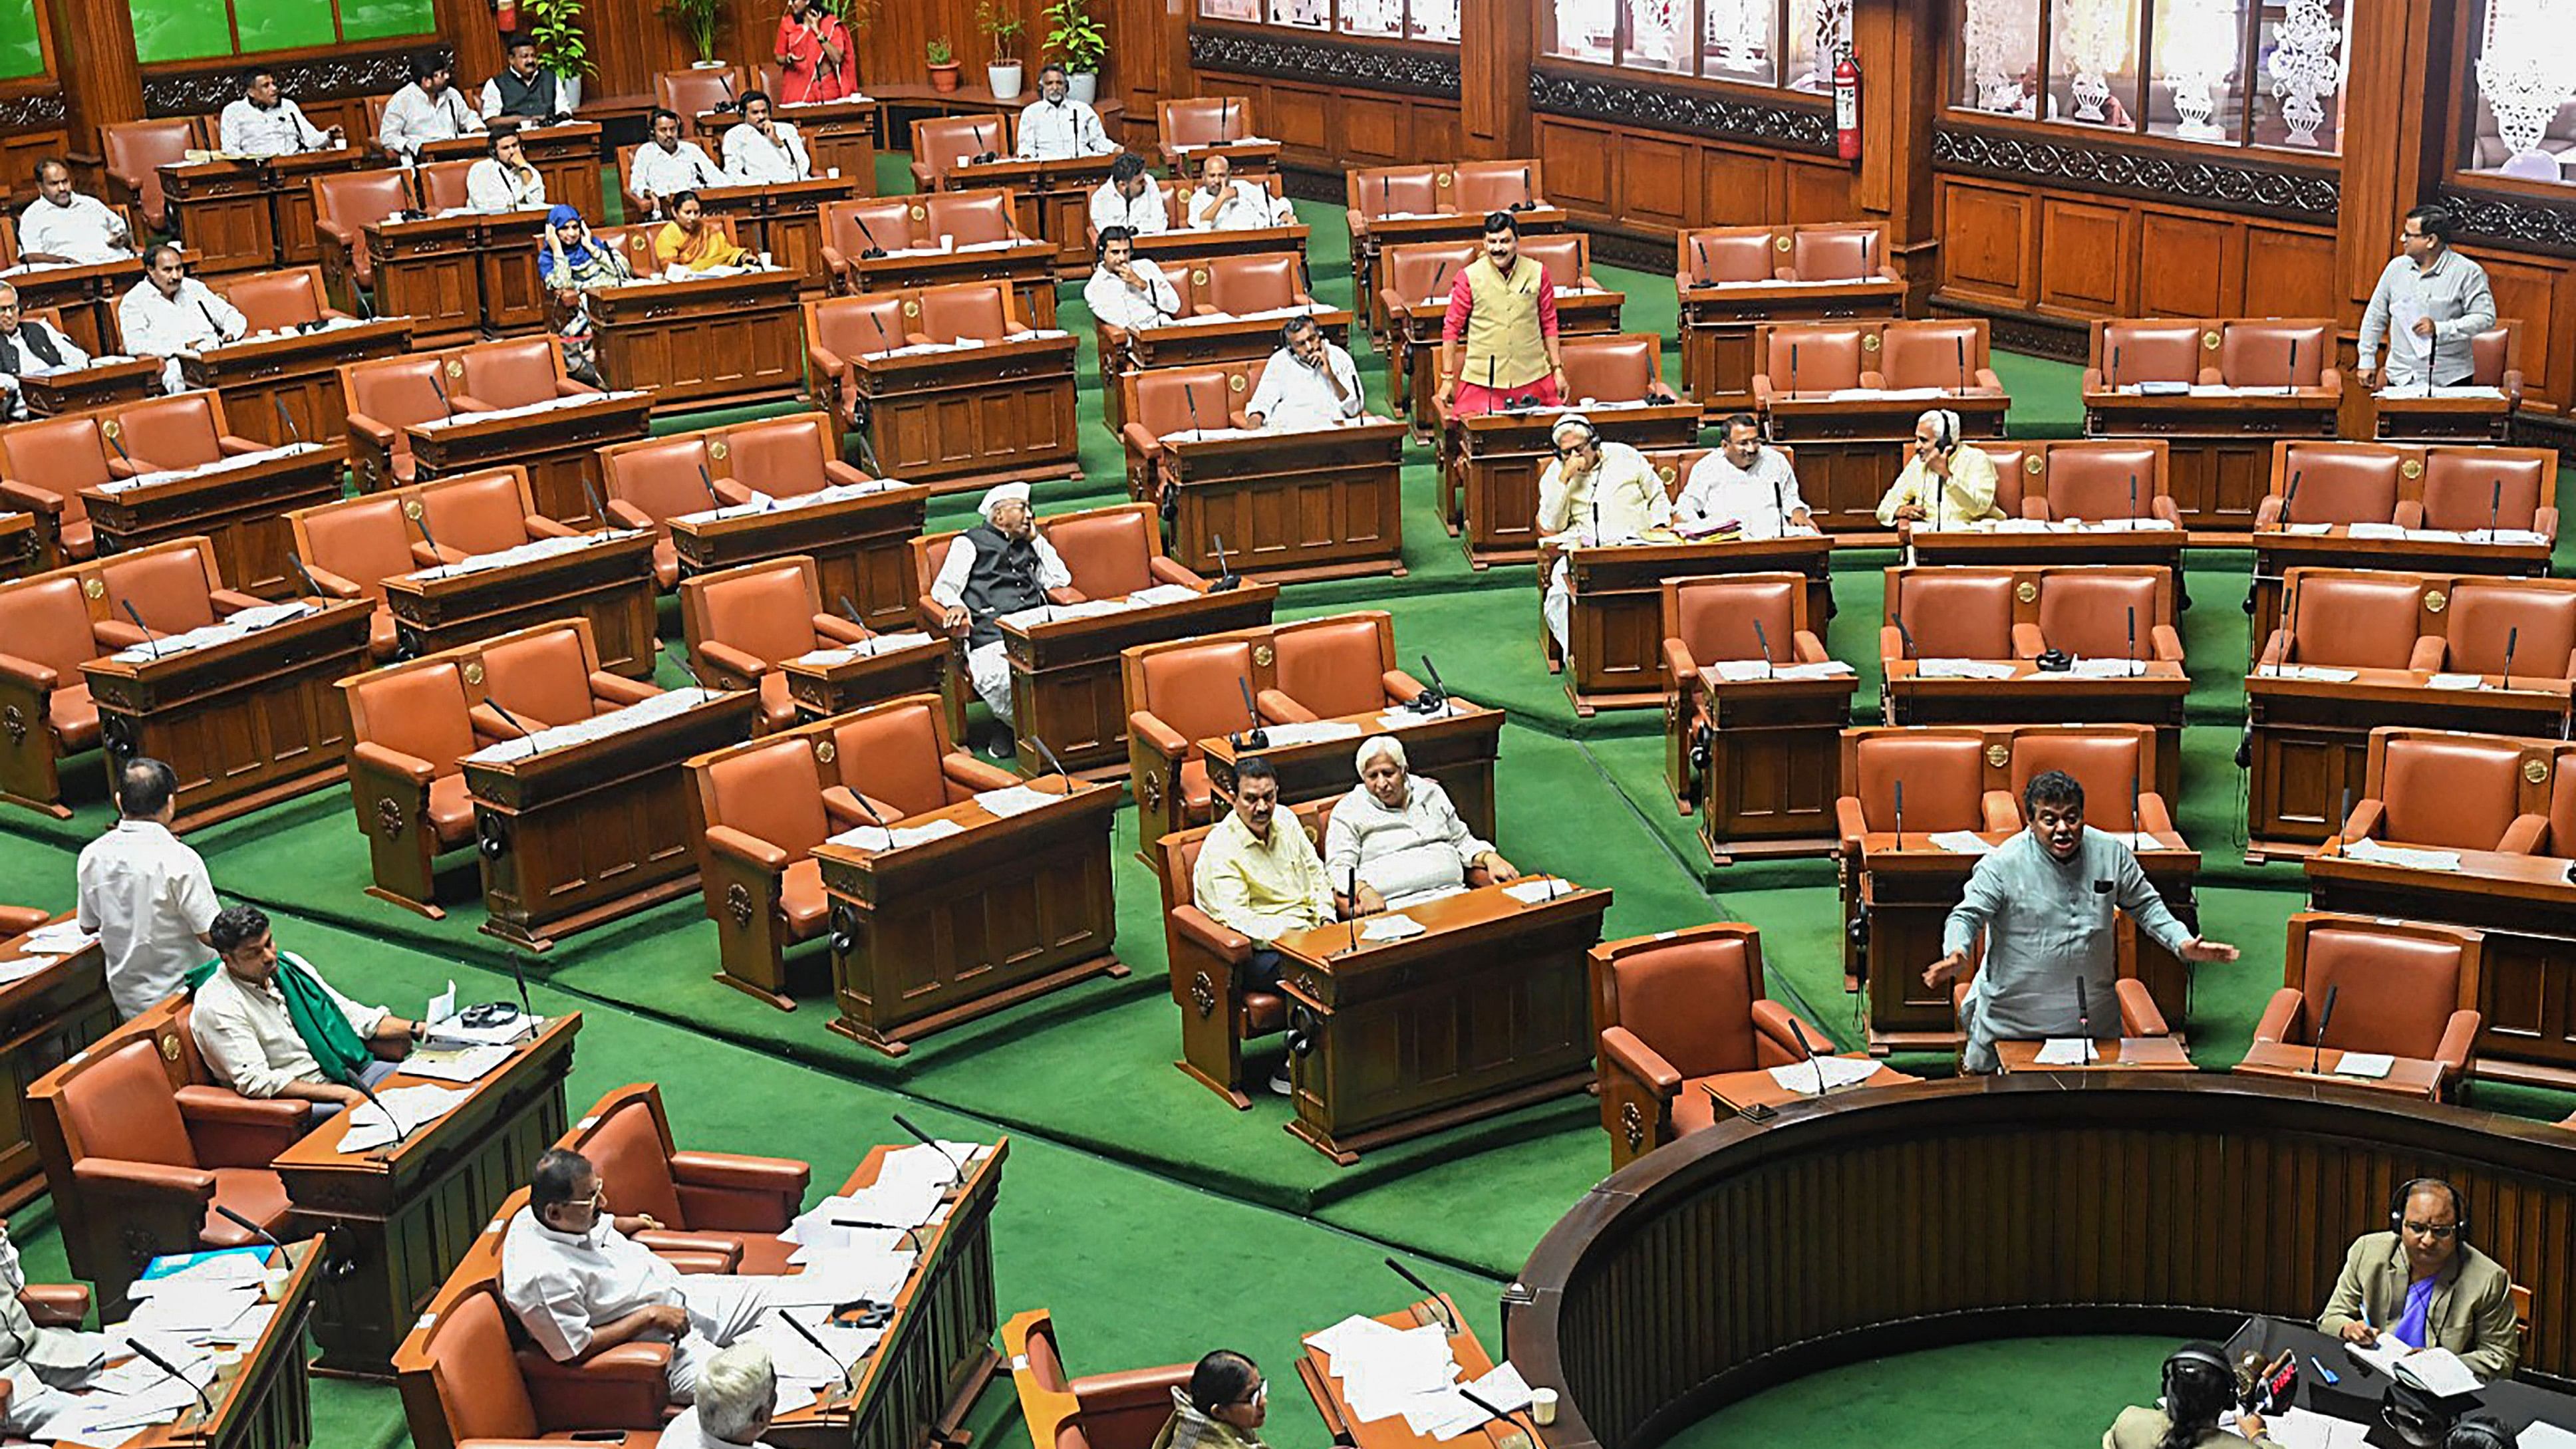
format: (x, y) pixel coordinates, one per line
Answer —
(2047, 902)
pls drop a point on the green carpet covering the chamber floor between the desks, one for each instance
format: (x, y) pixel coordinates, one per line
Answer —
(1130, 1175)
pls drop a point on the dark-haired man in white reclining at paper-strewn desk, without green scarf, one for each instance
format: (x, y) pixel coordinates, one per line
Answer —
(578, 1283)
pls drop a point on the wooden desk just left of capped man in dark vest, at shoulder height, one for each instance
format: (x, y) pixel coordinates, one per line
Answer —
(857, 544)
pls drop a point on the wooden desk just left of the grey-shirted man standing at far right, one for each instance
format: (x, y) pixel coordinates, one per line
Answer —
(2219, 447)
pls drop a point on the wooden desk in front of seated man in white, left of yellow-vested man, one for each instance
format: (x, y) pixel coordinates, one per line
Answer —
(1320, 503)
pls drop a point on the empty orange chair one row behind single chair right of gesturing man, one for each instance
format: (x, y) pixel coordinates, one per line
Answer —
(2446, 794)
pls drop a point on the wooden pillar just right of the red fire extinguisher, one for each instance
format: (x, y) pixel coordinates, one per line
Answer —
(1897, 48)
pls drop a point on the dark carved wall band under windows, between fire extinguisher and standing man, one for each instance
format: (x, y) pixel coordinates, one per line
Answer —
(2155, 176)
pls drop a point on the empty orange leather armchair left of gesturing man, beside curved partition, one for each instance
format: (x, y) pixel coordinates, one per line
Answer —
(1676, 1010)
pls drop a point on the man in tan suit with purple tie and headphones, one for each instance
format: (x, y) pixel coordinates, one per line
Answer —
(2425, 1288)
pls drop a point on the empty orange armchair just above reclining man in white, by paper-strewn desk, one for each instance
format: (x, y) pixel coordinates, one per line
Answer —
(710, 1203)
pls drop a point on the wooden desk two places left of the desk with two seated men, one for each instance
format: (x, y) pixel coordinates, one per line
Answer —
(589, 833)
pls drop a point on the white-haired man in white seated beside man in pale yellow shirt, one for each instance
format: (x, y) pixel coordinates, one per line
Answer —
(1397, 840)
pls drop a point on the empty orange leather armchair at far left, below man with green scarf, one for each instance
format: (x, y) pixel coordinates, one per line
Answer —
(140, 1149)
